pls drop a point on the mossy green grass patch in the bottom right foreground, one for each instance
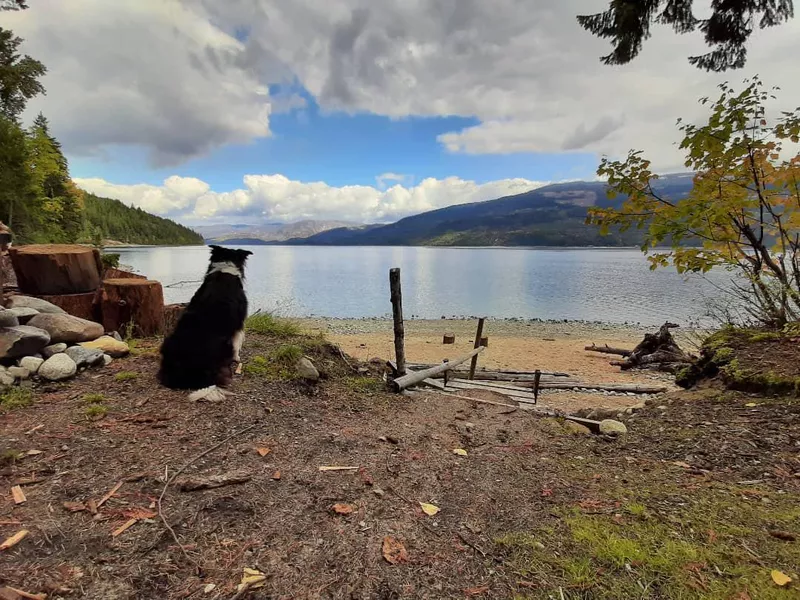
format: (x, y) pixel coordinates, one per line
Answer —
(703, 549)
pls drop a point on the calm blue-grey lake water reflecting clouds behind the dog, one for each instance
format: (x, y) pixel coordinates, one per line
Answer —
(613, 285)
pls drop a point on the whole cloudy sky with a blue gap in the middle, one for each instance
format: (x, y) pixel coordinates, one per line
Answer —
(251, 111)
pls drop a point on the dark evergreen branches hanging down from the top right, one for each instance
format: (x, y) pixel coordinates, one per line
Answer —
(727, 30)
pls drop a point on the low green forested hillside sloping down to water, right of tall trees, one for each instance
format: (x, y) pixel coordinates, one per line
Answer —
(105, 218)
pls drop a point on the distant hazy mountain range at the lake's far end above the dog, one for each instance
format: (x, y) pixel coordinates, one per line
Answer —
(266, 232)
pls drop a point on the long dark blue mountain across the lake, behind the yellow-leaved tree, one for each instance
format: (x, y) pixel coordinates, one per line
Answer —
(552, 215)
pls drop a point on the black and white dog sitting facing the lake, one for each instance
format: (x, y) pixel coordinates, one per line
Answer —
(200, 352)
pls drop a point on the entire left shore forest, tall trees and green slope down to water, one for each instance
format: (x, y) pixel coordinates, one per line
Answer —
(38, 199)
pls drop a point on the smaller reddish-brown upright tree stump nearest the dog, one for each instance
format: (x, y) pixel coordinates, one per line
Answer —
(134, 303)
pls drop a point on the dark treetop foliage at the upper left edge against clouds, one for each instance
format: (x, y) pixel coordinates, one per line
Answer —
(19, 76)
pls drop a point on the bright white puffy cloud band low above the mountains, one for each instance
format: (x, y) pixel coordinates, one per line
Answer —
(277, 198)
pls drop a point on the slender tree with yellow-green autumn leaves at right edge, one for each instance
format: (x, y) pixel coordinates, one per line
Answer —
(743, 212)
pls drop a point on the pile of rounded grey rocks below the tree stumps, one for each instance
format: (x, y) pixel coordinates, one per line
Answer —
(39, 338)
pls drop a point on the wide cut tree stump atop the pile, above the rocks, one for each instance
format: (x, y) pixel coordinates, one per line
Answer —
(54, 269)
